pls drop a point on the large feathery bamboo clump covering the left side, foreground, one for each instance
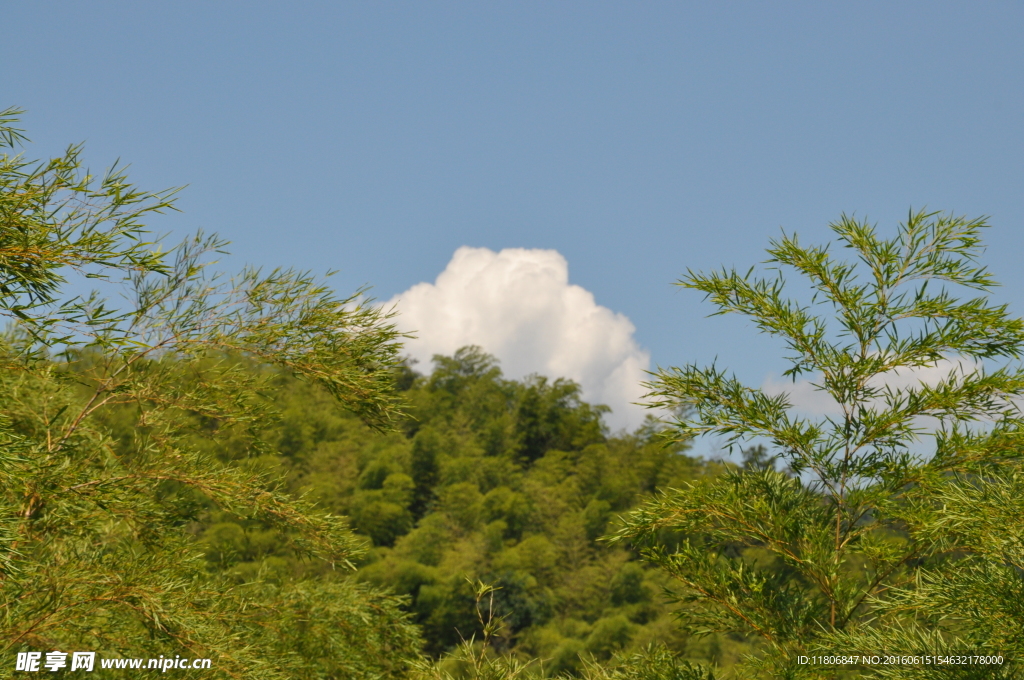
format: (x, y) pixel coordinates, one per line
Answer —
(115, 420)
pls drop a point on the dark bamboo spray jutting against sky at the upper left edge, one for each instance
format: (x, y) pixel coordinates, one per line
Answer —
(57, 219)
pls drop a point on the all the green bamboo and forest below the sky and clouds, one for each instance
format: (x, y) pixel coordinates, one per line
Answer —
(244, 470)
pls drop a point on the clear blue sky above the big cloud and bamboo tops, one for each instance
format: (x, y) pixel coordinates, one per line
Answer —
(636, 140)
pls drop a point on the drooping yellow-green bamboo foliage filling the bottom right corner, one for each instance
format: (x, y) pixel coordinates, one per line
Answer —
(975, 603)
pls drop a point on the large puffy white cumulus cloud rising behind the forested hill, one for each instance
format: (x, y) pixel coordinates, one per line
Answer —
(520, 307)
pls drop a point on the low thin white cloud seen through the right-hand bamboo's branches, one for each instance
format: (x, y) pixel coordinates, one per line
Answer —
(807, 399)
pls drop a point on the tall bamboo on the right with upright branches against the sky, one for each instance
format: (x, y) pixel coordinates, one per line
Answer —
(876, 544)
